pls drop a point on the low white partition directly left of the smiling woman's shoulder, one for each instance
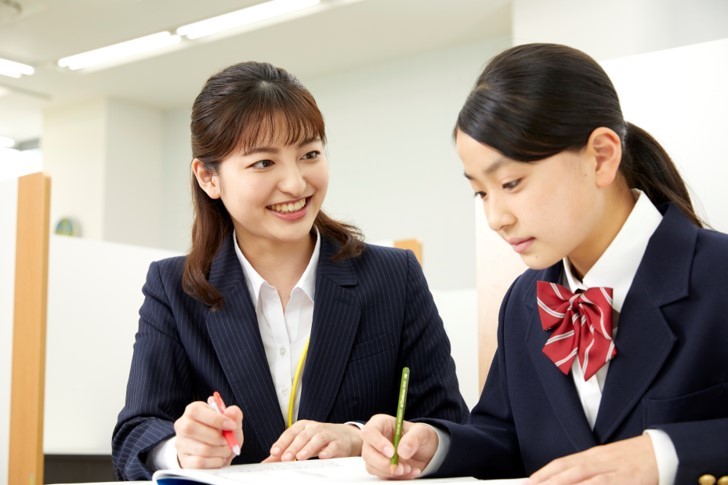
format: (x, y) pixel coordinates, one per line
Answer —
(94, 295)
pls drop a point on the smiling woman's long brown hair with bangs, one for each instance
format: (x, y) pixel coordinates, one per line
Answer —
(245, 105)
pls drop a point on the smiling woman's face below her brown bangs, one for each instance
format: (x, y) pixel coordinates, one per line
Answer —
(273, 192)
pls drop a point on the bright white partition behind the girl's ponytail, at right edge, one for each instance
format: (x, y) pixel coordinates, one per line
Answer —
(679, 96)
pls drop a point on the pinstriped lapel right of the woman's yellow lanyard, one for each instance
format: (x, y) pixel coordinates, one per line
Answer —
(335, 322)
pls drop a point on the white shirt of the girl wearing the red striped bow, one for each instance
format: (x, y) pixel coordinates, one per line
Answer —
(616, 268)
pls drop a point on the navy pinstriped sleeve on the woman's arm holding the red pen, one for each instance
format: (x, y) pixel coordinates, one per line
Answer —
(155, 394)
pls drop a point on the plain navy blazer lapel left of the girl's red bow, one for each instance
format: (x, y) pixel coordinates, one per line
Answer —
(559, 388)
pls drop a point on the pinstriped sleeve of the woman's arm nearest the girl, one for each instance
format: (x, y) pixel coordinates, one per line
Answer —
(425, 348)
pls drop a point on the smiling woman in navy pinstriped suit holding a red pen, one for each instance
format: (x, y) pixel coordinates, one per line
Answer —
(300, 326)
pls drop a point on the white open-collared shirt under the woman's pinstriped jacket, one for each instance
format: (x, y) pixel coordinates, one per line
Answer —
(284, 334)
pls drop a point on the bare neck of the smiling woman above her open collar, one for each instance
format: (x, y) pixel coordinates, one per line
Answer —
(281, 264)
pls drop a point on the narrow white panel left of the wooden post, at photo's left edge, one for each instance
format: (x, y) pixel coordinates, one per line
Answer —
(8, 223)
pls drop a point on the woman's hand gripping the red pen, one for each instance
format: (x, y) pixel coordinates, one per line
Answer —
(200, 440)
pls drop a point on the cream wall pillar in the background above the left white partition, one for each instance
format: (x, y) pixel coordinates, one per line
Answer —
(104, 157)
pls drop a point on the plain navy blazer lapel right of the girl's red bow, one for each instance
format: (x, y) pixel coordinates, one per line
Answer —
(644, 339)
